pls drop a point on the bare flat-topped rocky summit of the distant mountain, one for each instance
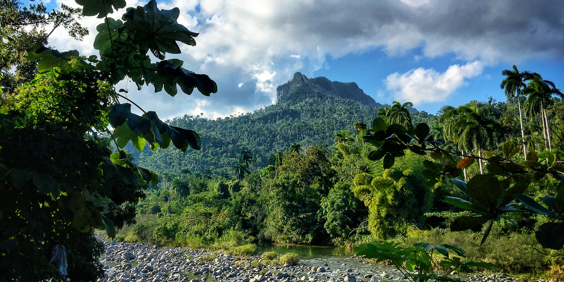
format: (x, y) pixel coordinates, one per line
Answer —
(301, 87)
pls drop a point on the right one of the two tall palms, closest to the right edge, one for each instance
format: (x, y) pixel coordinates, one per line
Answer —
(540, 93)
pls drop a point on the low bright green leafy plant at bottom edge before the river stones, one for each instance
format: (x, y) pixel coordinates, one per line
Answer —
(416, 263)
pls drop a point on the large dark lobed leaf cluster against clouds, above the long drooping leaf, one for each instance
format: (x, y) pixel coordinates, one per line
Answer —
(157, 30)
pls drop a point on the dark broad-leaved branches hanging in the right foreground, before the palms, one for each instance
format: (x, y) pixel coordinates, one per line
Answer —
(492, 193)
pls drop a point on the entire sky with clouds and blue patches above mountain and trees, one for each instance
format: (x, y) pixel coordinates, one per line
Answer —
(429, 52)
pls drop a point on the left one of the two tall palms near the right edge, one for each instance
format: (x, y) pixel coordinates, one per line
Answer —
(514, 85)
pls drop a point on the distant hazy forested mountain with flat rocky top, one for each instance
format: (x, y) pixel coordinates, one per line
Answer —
(308, 111)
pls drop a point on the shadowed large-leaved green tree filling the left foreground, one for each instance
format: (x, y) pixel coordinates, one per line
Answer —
(61, 180)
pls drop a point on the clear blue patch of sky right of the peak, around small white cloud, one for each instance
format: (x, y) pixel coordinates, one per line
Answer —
(370, 69)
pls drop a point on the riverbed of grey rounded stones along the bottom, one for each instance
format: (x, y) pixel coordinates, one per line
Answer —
(144, 262)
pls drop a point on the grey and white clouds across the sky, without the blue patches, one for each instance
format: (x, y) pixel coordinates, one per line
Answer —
(260, 44)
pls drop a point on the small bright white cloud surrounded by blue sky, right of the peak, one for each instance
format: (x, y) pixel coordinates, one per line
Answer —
(426, 85)
